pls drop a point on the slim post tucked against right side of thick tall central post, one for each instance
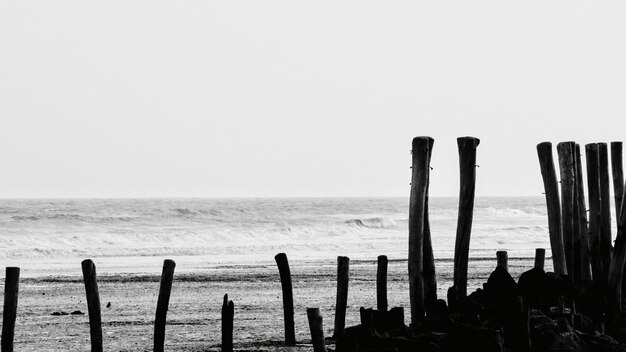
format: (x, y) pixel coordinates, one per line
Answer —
(430, 276)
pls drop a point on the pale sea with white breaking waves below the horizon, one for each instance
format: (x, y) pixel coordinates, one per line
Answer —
(52, 236)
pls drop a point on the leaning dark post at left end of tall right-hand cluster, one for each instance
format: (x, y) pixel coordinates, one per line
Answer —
(548, 173)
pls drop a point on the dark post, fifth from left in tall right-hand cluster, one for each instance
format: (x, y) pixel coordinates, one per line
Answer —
(606, 242)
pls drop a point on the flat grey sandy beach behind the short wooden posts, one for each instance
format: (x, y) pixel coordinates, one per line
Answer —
(195, 304)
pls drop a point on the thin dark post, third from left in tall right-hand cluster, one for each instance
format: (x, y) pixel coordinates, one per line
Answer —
(582, 246)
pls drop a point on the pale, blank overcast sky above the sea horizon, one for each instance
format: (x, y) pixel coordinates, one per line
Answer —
(298, 98)
